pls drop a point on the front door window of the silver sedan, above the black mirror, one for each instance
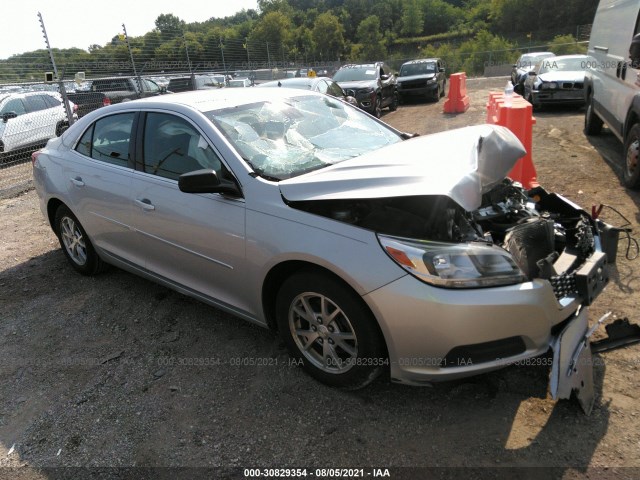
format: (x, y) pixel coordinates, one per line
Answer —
(172, 146)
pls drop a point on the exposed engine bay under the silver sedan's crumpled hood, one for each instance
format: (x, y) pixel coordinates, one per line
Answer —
(547, 236)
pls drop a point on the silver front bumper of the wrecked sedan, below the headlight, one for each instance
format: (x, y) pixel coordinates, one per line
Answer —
(435, 334)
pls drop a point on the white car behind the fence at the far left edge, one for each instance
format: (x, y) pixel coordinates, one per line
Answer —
(29, 120)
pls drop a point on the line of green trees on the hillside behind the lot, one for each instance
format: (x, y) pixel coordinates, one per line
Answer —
(334, 30)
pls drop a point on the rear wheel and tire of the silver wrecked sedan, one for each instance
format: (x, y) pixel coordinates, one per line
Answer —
(76, 244)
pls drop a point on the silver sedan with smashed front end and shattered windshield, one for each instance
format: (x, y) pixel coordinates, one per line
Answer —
(368, 249)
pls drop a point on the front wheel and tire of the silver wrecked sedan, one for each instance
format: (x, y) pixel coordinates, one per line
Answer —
(321, 342)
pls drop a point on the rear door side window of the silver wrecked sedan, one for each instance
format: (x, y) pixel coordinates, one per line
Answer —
(108, 139)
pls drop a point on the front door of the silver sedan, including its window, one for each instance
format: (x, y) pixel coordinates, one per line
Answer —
(194, 240)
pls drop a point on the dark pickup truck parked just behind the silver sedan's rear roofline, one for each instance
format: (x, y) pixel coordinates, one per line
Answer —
(109, 91)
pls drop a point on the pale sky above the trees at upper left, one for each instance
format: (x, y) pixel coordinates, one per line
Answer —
(85, 22)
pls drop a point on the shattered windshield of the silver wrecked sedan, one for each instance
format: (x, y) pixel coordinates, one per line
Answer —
(285, 138)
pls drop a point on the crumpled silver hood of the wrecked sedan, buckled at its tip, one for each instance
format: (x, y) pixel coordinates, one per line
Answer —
(462, 164)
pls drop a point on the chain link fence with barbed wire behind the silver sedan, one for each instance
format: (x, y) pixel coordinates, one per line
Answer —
(36, 88)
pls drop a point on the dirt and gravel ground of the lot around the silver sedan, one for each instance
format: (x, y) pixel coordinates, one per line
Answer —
(89, 373)
